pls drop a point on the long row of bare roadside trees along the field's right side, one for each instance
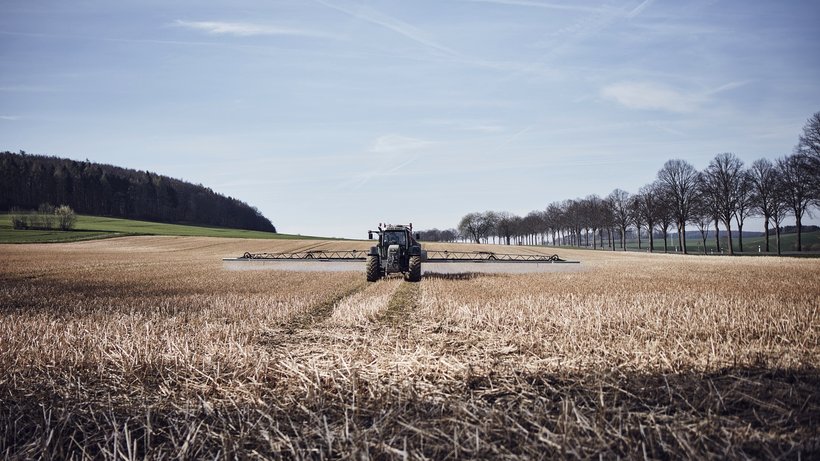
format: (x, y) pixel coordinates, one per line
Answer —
(725, 194)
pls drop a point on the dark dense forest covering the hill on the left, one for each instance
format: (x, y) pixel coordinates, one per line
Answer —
(29, 181)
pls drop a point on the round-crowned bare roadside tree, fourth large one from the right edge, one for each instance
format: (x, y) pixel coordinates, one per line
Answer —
(720, 183)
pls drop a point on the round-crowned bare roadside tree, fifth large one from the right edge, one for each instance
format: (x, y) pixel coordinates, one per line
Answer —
(680, 180)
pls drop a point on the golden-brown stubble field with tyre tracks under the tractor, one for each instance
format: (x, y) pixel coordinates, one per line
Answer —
(147, 346)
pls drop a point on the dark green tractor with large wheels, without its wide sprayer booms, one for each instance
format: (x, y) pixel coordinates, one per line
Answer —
(397, 251)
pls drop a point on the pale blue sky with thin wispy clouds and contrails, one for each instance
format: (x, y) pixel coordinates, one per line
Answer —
(331, 116)
